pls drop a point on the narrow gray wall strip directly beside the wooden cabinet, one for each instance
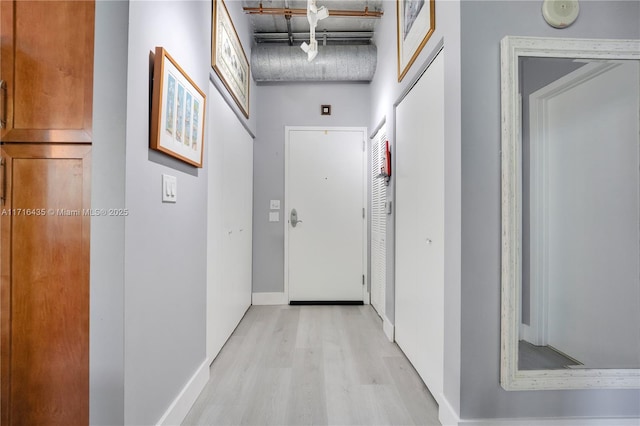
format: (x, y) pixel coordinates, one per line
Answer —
(107, 233)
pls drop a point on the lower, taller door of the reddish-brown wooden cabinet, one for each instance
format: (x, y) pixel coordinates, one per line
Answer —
(44, 297)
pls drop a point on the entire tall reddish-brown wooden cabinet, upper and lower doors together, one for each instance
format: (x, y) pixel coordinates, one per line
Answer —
(46, 67)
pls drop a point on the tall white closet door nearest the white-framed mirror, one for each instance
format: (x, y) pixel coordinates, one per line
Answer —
(420, 242)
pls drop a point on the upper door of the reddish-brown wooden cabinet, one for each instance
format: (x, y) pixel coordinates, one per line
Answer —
(46, 64)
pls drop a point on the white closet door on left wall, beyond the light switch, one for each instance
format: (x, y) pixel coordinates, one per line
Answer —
(229, 233)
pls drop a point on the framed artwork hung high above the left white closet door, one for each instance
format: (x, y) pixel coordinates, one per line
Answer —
(228, 58)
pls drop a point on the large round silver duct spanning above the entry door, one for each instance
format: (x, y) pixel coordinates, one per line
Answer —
(273, 63)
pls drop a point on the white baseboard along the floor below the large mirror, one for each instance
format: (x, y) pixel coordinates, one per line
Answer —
(576, 421)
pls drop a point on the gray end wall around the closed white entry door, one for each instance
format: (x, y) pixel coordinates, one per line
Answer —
(280, 105)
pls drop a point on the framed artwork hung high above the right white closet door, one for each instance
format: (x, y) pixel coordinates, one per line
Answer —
(416, 23)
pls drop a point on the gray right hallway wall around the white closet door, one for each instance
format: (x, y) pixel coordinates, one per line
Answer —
(386, 92)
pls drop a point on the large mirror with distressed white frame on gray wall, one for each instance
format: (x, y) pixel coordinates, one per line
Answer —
(570, 213)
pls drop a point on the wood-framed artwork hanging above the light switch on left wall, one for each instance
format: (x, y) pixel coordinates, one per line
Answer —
(177, 111)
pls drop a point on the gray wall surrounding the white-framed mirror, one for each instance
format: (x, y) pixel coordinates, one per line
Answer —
(481, 394)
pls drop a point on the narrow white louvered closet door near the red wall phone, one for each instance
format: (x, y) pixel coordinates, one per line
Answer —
(378, 223)
